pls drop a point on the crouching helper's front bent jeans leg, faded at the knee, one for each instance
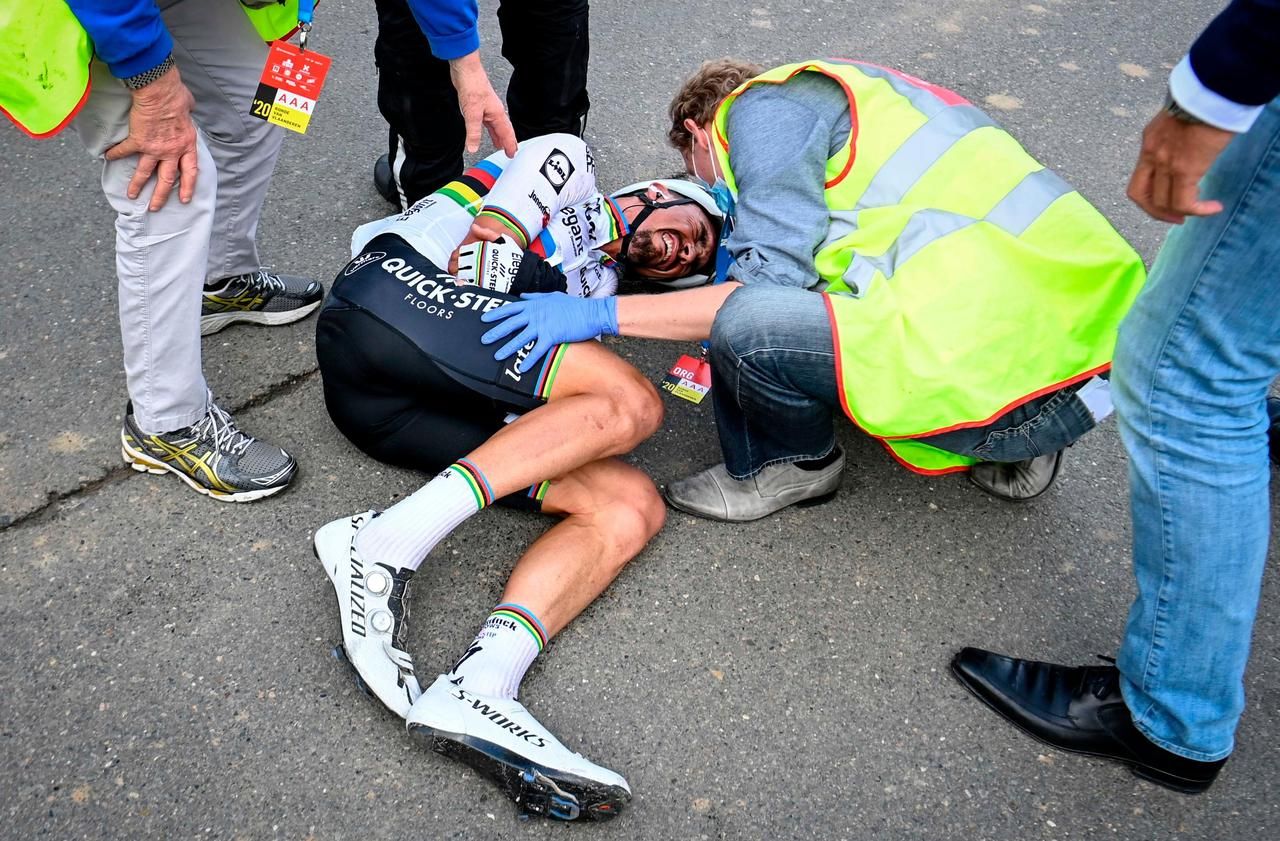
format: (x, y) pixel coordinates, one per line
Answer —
(774, 378)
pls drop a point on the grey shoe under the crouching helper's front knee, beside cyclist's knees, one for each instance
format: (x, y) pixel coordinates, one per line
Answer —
(717, 496)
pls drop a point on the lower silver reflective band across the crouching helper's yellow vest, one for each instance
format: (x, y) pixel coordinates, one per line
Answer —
(1014, 214)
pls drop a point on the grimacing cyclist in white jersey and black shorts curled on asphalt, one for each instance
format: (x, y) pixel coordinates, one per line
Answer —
(408, 381)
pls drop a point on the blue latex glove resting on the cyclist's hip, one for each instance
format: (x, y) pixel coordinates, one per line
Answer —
(548, 319)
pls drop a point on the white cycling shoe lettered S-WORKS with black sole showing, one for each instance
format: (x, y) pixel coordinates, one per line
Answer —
(505, 743)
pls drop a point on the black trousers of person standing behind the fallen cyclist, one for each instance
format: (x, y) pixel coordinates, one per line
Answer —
(546, 42)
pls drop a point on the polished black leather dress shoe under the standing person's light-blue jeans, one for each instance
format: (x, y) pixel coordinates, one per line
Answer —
(1078, 710)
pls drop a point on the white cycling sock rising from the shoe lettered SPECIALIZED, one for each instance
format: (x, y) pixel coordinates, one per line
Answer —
(404, 534)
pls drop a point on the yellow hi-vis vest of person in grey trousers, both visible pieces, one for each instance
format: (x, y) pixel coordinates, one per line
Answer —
(45, 56)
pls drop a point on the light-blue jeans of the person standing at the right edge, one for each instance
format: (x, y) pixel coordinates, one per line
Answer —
(1196, 356)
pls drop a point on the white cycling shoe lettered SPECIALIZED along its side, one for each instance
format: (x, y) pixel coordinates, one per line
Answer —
(374, 614)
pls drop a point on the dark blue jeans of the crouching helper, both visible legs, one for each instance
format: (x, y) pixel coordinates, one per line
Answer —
(775, 391)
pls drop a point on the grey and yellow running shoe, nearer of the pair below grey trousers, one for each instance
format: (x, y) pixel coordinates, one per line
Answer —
(212, 456)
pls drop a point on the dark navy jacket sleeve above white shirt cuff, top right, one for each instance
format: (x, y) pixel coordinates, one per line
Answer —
(1237, 54)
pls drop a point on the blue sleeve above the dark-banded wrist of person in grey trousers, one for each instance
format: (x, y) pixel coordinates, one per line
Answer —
(129, 35)
